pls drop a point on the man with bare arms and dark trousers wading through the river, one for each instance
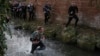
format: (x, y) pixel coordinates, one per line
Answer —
(36, 39)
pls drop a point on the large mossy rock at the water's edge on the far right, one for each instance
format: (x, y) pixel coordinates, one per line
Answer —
(87, 42)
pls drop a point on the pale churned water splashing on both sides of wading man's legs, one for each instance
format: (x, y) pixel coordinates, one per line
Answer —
(20, 45)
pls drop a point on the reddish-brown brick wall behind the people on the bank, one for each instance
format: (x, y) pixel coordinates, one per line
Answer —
(89, 10)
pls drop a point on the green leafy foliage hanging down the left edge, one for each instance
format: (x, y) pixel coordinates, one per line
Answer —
(2, 26)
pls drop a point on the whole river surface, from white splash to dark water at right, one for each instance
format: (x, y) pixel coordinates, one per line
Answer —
(20, 45)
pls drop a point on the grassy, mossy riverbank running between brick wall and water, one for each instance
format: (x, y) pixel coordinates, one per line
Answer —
(83, 37)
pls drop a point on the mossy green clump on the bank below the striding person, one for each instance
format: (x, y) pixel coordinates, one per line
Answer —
(69, 35)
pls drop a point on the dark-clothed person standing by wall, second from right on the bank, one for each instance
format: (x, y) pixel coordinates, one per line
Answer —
(47, 12)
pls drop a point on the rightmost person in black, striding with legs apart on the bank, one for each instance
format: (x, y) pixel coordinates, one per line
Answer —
(73, 10)
